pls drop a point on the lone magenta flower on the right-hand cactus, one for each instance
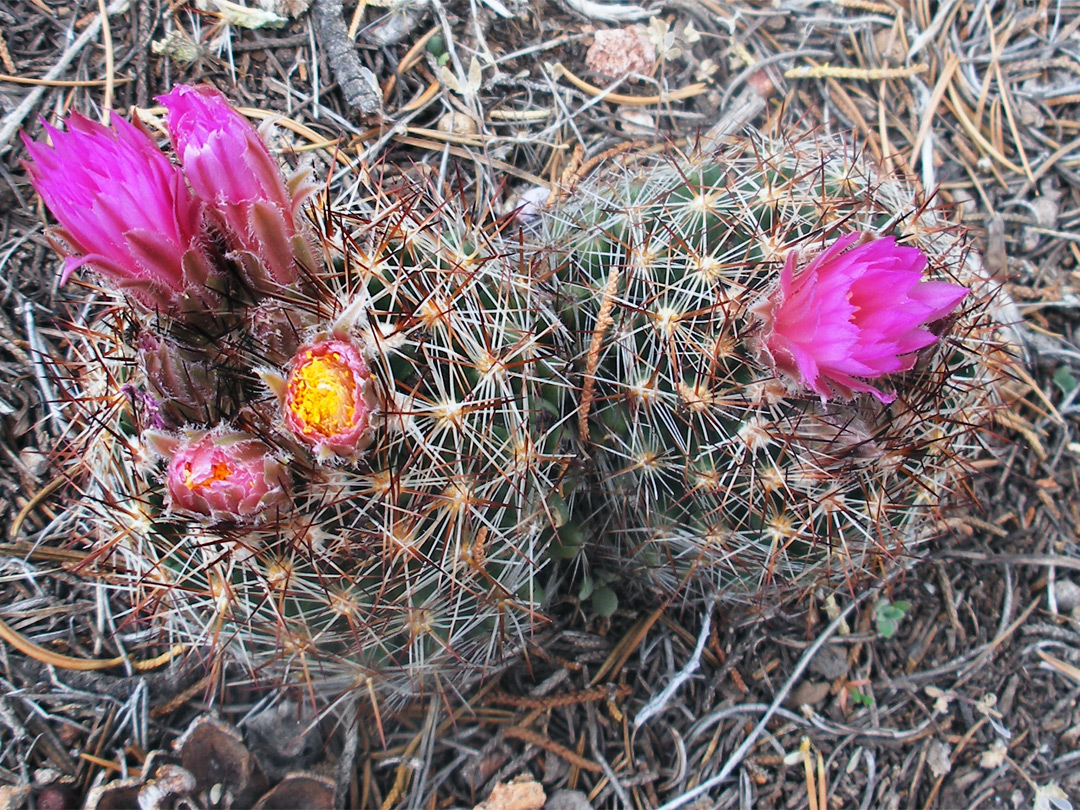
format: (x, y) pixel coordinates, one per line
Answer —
(854, 314)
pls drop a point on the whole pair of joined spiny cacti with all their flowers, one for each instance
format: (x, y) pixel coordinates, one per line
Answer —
(341, 444)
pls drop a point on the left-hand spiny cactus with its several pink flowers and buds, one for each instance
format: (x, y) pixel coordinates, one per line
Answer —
(336, 470)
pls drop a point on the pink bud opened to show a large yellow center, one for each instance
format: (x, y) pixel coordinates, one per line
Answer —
(329, 399)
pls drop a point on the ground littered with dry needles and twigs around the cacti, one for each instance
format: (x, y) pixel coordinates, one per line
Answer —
(973, 701)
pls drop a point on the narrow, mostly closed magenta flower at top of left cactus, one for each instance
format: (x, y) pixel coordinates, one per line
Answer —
(231, 168)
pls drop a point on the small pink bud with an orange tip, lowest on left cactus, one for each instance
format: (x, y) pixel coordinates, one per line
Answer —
(225, 477)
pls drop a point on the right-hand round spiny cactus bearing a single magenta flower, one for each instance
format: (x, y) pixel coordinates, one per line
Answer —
(725, 463)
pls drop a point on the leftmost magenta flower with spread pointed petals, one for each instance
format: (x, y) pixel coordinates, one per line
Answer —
(124, 207)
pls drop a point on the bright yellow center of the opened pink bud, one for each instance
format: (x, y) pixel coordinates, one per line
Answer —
(323, 395)
